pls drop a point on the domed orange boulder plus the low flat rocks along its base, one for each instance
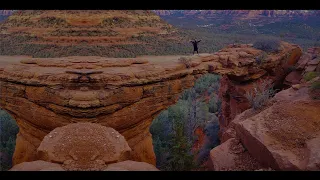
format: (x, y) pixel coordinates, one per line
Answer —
(83, 147)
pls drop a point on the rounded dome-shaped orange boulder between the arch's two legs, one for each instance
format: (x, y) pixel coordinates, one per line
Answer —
(84, 146)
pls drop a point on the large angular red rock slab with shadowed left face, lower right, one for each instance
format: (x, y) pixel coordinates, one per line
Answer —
(278, 137)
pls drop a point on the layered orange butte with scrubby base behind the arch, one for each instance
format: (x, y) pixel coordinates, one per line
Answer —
(60, 33)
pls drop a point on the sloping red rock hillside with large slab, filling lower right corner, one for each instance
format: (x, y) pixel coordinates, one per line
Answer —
(282, 135)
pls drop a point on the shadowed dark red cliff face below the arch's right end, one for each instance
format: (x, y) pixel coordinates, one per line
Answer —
(232, 90)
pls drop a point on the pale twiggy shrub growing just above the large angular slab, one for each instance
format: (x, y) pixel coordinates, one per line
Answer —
(260, 94)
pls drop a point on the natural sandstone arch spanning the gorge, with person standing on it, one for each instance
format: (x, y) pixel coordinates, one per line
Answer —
(125, 94)
